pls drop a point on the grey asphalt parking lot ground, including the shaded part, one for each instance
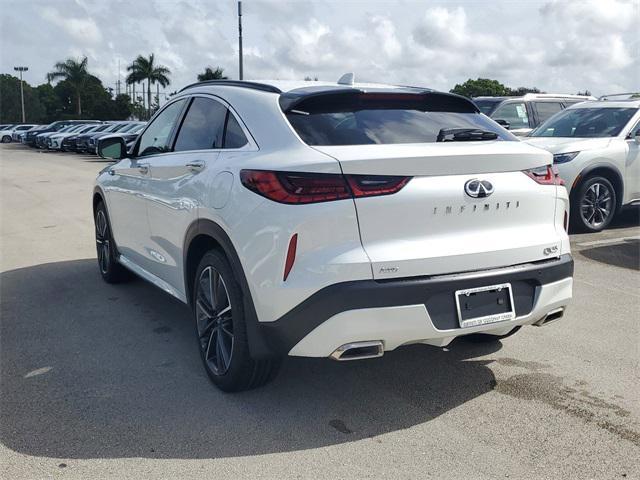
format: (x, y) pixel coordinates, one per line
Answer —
(104, 381)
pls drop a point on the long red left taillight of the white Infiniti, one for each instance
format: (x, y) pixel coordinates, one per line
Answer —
(303, 188)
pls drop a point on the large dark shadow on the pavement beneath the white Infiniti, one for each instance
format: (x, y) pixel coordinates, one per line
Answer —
(91, 370)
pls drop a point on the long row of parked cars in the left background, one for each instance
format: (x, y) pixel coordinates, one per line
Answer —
(78, 136)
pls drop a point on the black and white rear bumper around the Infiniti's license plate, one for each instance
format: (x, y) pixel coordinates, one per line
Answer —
(413, 310)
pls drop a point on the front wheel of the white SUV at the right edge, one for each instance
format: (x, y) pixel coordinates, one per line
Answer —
(593, 205)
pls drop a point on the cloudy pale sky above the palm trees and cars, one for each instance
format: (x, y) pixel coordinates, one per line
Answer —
(556, 45)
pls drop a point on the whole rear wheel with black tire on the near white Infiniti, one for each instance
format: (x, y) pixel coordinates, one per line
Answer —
(234, 371)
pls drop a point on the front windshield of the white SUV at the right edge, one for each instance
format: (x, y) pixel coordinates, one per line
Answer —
(586, 123)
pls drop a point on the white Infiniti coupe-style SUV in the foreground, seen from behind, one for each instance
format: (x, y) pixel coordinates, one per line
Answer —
(333, 220)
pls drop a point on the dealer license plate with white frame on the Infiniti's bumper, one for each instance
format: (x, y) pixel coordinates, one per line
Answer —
(485, 305)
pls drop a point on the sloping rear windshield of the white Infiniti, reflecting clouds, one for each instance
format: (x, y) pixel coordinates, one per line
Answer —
(363, 119)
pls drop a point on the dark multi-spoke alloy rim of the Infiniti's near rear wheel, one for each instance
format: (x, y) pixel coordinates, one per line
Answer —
(214, 320)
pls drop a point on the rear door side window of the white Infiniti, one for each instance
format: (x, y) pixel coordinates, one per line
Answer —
(203, 126)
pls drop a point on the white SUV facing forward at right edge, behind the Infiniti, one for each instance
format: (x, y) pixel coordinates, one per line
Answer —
(596, 148)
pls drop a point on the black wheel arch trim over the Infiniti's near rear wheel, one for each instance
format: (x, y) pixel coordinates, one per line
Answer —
(259, 346)
